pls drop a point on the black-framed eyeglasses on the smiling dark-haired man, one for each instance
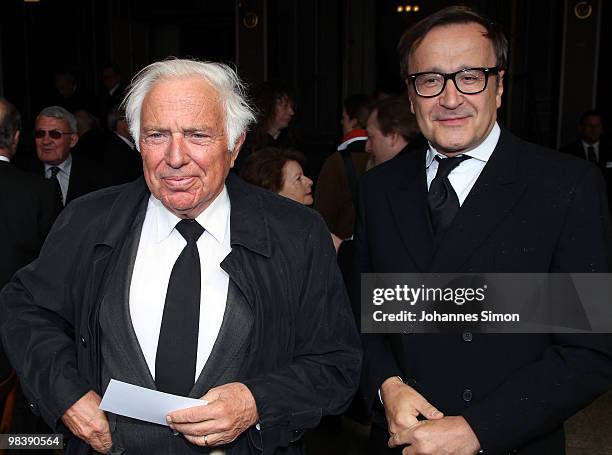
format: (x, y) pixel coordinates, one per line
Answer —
(469, 81)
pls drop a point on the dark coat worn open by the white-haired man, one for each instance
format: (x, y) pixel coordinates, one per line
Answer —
(300, 347)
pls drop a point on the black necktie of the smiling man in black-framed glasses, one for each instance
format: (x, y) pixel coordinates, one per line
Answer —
(442, 199)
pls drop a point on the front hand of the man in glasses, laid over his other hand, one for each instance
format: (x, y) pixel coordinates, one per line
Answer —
(450, 435)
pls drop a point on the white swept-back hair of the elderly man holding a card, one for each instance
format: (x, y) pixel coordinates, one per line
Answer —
(231, 91)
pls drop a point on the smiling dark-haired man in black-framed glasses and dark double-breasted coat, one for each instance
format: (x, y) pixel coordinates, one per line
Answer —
(477, 199)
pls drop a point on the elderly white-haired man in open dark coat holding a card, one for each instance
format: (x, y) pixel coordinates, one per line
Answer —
(189, 282)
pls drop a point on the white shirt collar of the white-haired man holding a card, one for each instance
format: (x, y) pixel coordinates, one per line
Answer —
(214, 219)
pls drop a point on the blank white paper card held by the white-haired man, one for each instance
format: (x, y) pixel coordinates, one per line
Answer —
(143, 404)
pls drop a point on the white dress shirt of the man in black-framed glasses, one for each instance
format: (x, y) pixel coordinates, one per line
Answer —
(464, 176)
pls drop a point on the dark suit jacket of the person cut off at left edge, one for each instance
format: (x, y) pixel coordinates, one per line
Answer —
(29, 206)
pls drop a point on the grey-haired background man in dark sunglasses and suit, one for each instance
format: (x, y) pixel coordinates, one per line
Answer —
(55, 133)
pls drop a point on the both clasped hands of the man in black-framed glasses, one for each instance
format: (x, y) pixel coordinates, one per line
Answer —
(436, 435)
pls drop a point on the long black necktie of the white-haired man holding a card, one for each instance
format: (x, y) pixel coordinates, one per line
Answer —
(177, 347)
